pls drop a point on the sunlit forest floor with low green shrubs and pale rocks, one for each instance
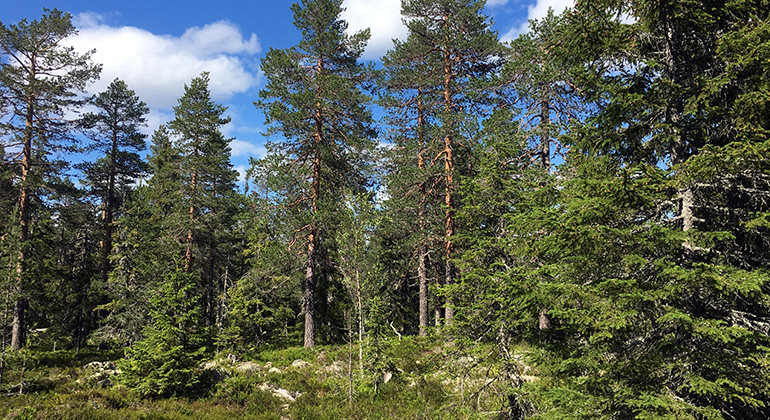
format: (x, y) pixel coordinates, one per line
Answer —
(411, 378)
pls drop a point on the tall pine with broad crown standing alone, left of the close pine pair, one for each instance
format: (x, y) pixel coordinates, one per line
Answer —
(313, 98)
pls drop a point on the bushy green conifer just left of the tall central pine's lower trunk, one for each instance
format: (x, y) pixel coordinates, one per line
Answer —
(263, 303)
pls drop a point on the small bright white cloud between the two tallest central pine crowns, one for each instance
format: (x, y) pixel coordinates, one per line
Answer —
(383, 17)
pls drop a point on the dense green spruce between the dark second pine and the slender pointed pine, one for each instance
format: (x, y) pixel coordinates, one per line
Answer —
(146, 246)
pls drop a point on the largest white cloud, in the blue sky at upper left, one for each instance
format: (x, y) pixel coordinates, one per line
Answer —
(158, 66)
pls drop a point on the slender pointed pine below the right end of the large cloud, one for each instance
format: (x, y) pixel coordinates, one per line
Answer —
(208, 187)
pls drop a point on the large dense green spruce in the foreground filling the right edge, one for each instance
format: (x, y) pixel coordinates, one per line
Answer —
(645, 253)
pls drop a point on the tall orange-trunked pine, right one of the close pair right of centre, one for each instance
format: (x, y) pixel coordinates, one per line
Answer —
(466, 52)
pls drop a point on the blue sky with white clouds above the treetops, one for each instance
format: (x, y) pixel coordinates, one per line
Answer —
(158, 46)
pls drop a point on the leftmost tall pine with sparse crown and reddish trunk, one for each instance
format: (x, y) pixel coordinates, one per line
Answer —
(42, 78)
